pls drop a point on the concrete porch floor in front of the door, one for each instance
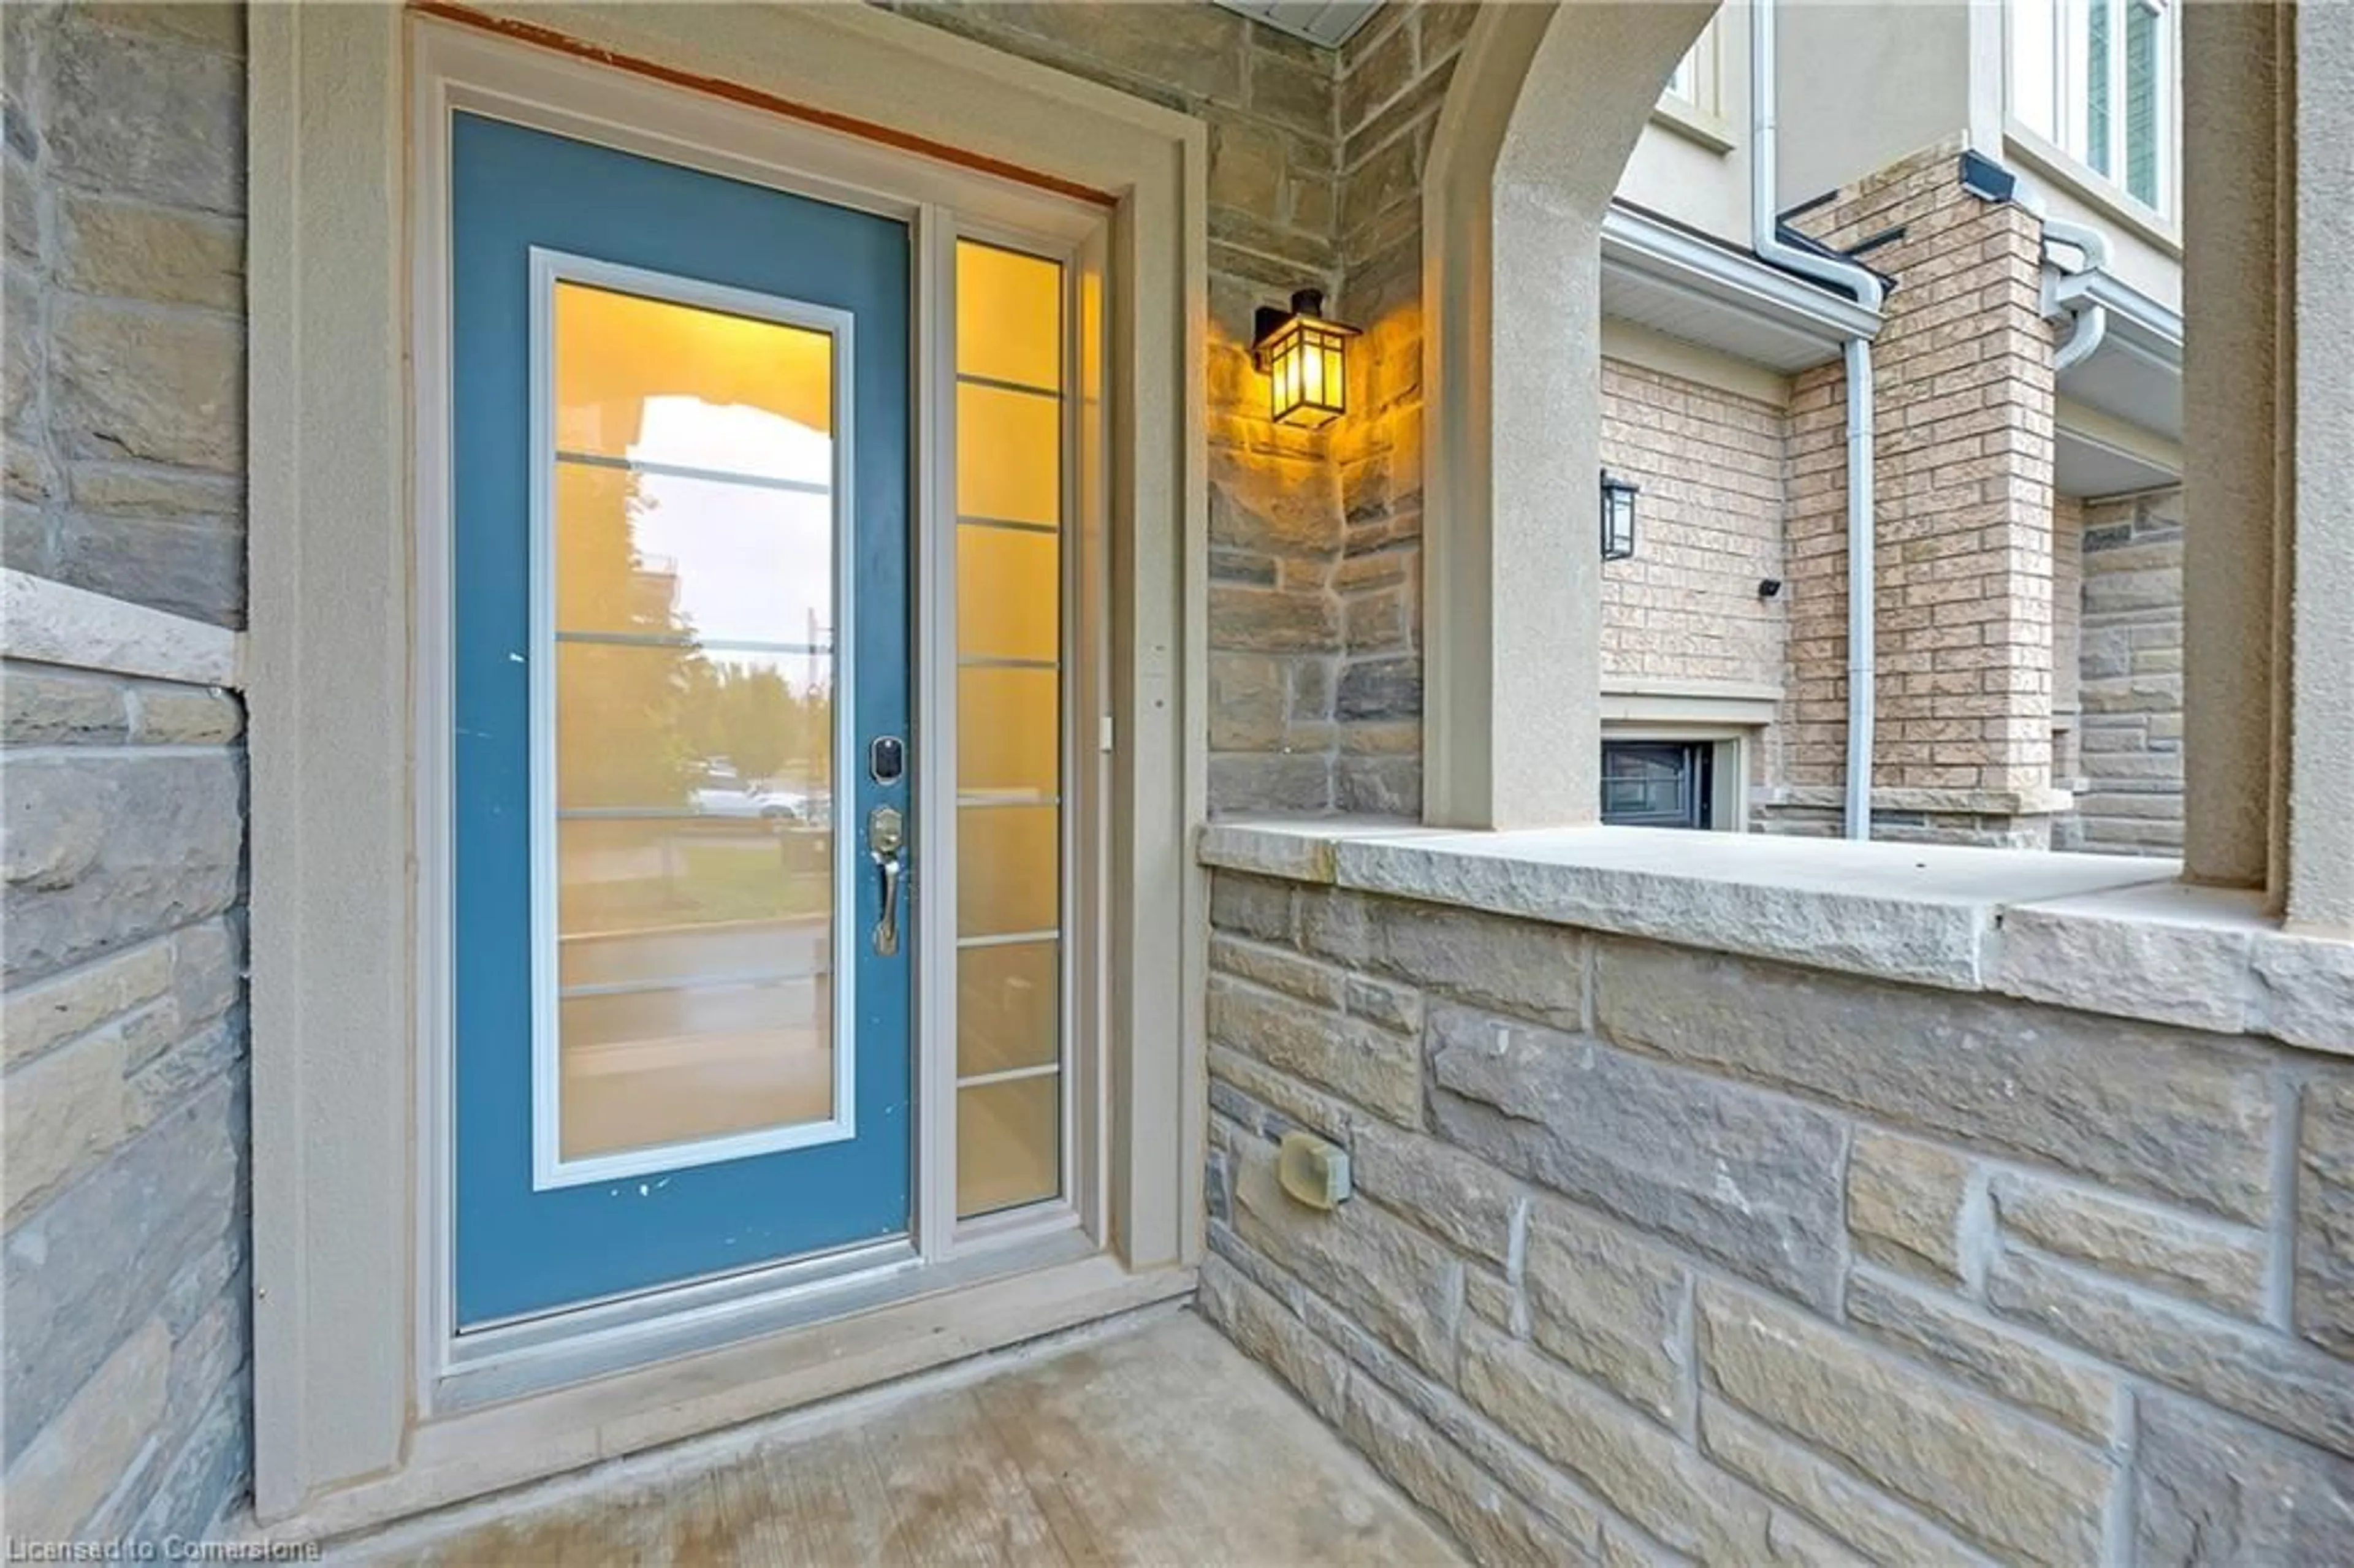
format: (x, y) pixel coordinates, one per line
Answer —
(1150, 1442)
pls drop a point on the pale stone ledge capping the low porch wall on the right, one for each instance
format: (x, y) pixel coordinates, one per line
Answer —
(2099, 934)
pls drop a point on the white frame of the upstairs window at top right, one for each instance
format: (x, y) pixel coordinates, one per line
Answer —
(2052, 150)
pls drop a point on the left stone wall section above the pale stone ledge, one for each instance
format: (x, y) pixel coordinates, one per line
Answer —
(126, 295)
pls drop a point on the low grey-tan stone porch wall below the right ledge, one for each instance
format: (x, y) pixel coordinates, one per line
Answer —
(1668, 1256)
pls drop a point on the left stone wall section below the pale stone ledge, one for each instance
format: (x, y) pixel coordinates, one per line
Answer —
(124, 1273)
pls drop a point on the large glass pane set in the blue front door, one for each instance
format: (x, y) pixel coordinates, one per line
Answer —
(693, 724)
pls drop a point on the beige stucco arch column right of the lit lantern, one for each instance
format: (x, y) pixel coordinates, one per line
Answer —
(1541, 117)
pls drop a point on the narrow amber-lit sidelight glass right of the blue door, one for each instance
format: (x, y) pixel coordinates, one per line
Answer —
(1011, 427)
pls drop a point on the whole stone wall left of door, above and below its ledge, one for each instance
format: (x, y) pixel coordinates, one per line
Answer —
(124, 1273)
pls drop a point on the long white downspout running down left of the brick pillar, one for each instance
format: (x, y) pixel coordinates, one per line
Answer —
(1868, 291)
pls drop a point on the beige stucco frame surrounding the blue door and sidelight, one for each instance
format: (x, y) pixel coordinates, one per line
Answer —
(354, 1376)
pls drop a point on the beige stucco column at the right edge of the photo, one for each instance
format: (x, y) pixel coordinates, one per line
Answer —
(2270, 484)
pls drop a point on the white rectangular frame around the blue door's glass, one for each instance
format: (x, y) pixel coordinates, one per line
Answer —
(550, 1169)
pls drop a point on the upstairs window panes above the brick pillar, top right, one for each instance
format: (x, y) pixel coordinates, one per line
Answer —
(2096, 79)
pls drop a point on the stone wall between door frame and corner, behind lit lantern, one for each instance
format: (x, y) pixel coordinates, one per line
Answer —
(1279, 609)
